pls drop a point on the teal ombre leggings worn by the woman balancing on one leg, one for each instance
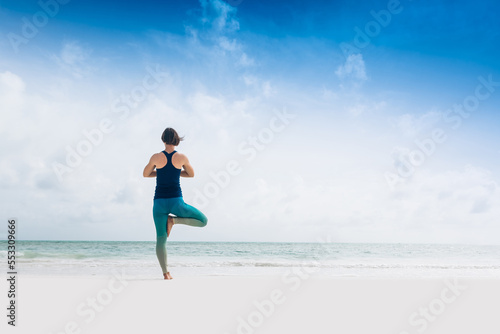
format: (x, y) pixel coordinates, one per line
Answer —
(185, 214)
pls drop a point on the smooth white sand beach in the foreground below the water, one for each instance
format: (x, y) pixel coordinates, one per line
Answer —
(293, 303)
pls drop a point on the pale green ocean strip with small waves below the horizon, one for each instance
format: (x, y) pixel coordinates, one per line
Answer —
(137, 259)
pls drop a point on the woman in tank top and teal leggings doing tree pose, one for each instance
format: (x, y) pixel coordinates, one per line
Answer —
(170, 166)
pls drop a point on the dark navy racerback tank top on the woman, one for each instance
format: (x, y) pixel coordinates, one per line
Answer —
(168, 183)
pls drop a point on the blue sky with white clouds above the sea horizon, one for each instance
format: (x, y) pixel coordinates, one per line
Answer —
(227, 69)
